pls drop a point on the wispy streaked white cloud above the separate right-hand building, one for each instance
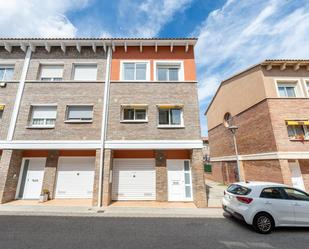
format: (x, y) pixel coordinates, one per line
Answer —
(245, 32)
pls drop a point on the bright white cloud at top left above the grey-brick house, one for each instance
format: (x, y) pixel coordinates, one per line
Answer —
(38, 18)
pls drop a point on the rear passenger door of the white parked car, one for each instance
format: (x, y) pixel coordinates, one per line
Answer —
(274, 201)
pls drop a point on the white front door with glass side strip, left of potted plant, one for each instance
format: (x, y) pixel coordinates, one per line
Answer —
(33, 173)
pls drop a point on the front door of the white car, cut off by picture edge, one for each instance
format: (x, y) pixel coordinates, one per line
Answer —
(300, 202)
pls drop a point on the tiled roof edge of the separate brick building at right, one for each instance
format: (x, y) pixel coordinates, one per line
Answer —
(268, 63)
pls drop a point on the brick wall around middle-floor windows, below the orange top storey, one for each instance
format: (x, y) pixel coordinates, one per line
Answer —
(153, 94)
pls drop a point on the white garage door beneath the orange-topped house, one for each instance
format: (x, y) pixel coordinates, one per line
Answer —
(134, 179)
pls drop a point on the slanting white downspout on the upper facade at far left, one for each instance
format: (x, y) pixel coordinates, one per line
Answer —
(19, 95)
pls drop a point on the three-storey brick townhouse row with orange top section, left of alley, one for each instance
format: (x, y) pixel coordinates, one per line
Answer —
(104, 119)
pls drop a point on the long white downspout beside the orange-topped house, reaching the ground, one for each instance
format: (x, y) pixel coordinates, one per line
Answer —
(104, 121)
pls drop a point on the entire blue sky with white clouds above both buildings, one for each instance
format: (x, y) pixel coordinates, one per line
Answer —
(233, 34)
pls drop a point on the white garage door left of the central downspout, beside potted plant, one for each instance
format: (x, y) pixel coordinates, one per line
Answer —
(75, 177)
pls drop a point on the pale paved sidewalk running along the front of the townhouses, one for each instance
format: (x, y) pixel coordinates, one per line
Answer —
(37, 210)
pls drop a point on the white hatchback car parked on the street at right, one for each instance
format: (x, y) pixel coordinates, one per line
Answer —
(267, 205)
